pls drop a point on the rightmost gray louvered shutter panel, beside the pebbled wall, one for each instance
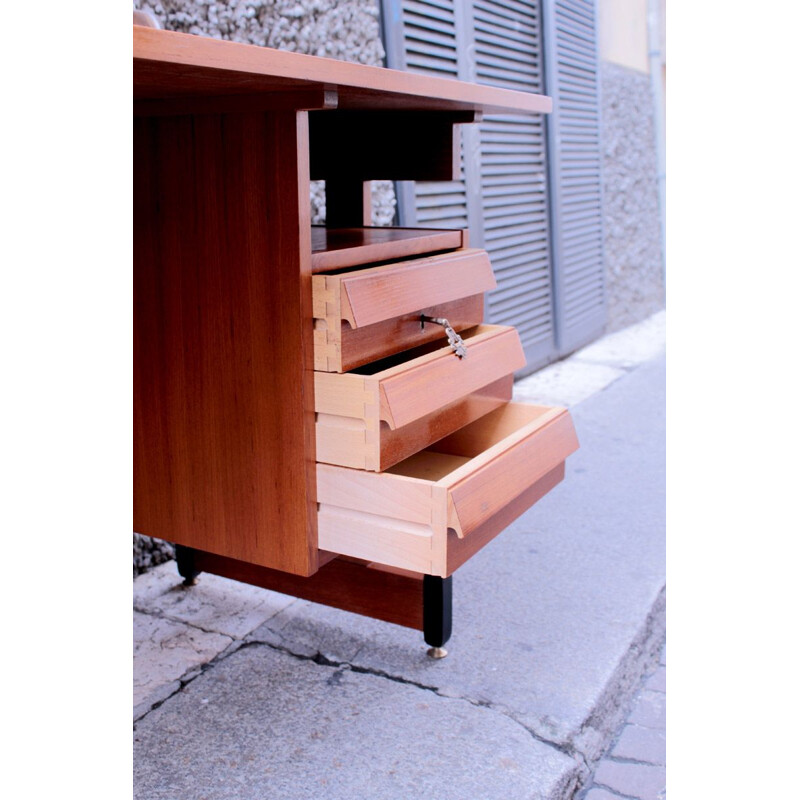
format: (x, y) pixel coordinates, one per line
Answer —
(575, 170)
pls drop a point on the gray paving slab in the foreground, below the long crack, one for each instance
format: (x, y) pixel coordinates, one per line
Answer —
(262, 724)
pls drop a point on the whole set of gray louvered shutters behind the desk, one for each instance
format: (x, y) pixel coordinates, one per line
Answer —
(537, 213)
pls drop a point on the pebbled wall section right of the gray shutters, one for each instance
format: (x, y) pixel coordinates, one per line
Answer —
(634, 264)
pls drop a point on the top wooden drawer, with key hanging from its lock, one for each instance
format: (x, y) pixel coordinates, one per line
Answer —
(361, 315)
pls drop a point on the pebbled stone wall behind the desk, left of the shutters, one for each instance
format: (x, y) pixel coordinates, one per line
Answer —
(345, 29)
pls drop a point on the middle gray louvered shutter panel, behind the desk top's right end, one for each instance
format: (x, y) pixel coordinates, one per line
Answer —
(513, 197)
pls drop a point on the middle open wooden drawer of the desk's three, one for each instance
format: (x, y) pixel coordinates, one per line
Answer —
(379, 414)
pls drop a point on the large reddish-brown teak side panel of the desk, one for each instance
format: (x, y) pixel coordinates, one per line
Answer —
(223, 352)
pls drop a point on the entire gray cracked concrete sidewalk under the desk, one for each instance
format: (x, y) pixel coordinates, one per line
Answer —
(245, 693)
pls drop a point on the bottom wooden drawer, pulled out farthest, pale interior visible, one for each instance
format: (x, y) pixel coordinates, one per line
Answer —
(432, 511)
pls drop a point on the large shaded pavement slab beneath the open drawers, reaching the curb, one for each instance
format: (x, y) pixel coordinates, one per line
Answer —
(556, 620)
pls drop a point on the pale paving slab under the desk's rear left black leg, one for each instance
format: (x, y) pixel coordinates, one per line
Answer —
(213, 604)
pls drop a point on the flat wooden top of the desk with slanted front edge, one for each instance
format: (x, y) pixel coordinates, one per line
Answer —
(177, 65)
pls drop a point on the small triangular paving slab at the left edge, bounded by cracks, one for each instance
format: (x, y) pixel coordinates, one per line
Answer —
(164, 651)
